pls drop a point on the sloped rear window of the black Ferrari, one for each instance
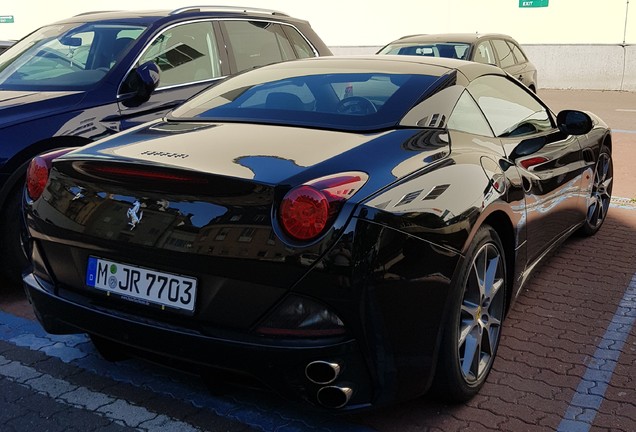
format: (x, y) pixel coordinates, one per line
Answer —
(313, 97)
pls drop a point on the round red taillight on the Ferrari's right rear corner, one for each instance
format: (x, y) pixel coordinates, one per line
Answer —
(308, 210)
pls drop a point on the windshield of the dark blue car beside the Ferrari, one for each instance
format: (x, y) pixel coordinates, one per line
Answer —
(65, 57)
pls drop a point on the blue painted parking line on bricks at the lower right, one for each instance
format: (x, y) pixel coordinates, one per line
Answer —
(590, 392)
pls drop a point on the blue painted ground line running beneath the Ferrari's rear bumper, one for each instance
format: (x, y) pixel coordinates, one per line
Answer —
(263, 412)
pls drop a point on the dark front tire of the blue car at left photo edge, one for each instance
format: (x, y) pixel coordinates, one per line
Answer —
(14, 261)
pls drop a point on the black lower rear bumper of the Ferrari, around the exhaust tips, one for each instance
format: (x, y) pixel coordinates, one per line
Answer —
(279, 364)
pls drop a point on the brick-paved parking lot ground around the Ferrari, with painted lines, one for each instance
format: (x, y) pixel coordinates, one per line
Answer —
(567, 359)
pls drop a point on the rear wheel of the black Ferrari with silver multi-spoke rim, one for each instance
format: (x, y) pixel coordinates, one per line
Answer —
(473, 324)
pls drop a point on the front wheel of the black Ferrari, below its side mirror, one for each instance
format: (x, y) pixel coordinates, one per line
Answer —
(600, 197)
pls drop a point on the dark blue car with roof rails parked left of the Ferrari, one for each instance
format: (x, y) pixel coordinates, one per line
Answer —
(93, 75)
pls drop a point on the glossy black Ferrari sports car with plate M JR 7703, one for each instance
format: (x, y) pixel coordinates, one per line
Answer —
(348, 231)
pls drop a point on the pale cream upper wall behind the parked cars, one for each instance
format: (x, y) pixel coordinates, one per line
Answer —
(375, 22)
